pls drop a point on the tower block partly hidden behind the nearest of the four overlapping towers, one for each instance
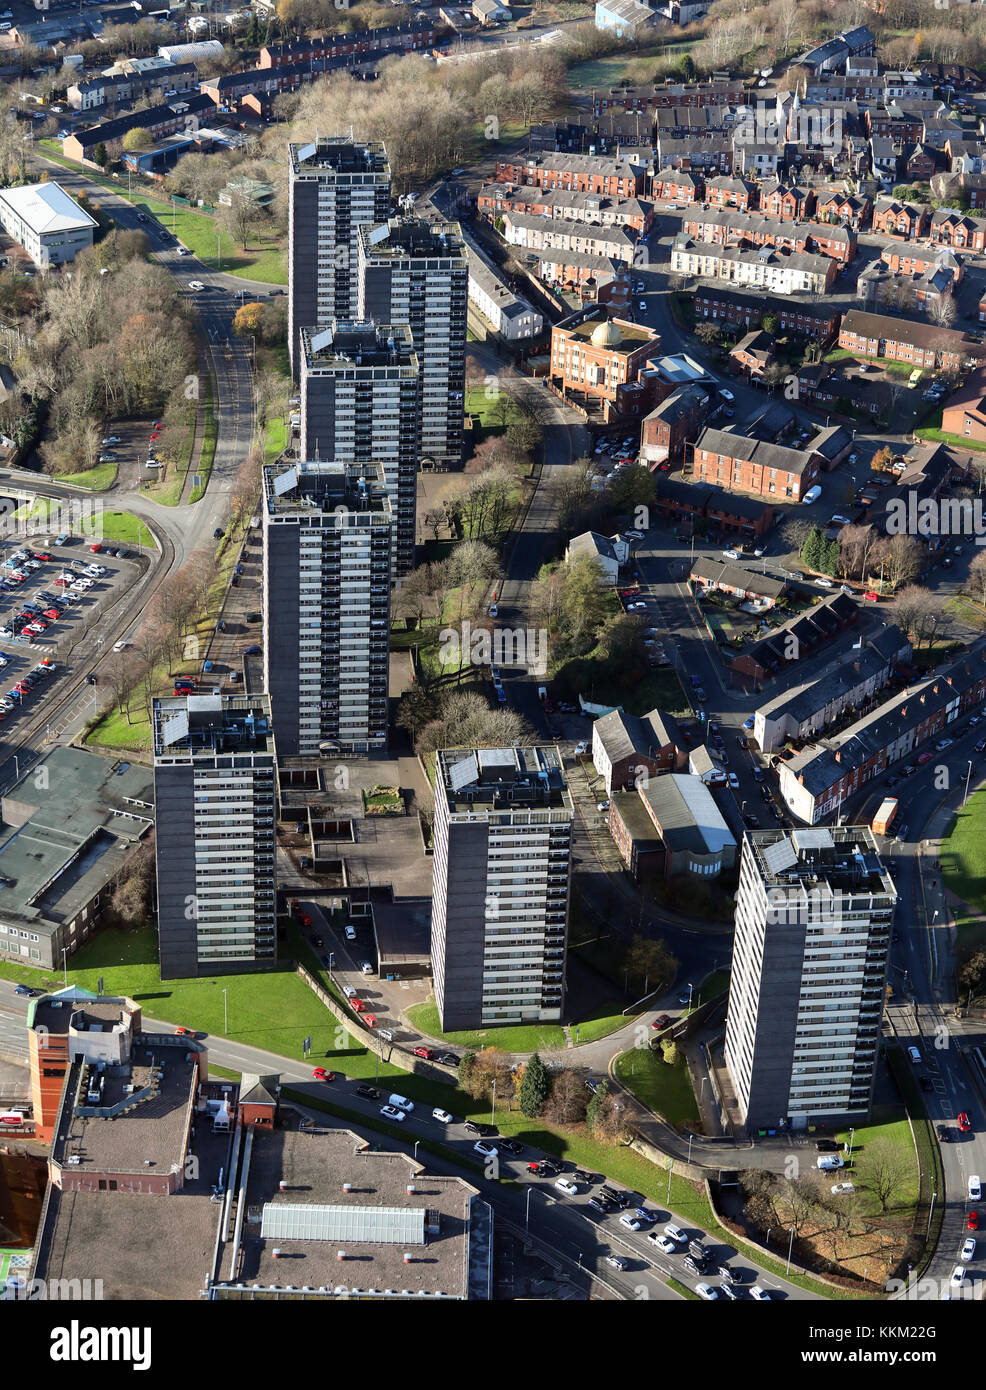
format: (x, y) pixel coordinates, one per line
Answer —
(361, 404)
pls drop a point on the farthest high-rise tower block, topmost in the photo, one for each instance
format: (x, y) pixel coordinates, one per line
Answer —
(336, 187)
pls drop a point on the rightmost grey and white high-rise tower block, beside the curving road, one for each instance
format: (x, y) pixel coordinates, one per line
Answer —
(814, 921)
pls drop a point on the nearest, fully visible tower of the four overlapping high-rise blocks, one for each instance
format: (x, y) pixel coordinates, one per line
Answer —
(328, 607)
